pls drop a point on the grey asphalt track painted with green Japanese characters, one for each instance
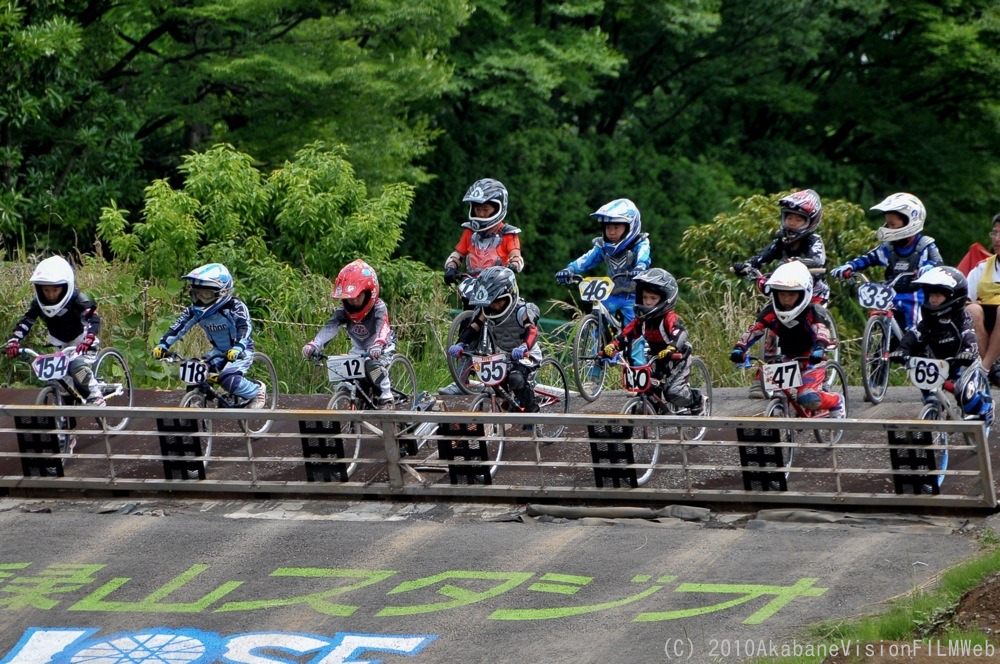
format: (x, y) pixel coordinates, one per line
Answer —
(321, 581)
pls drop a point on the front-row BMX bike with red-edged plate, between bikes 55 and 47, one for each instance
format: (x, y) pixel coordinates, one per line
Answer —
(648, 399)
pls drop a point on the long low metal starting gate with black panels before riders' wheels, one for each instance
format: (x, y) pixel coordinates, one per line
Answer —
(409, 454)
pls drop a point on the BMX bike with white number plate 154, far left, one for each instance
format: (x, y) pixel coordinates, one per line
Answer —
(114, 379)
